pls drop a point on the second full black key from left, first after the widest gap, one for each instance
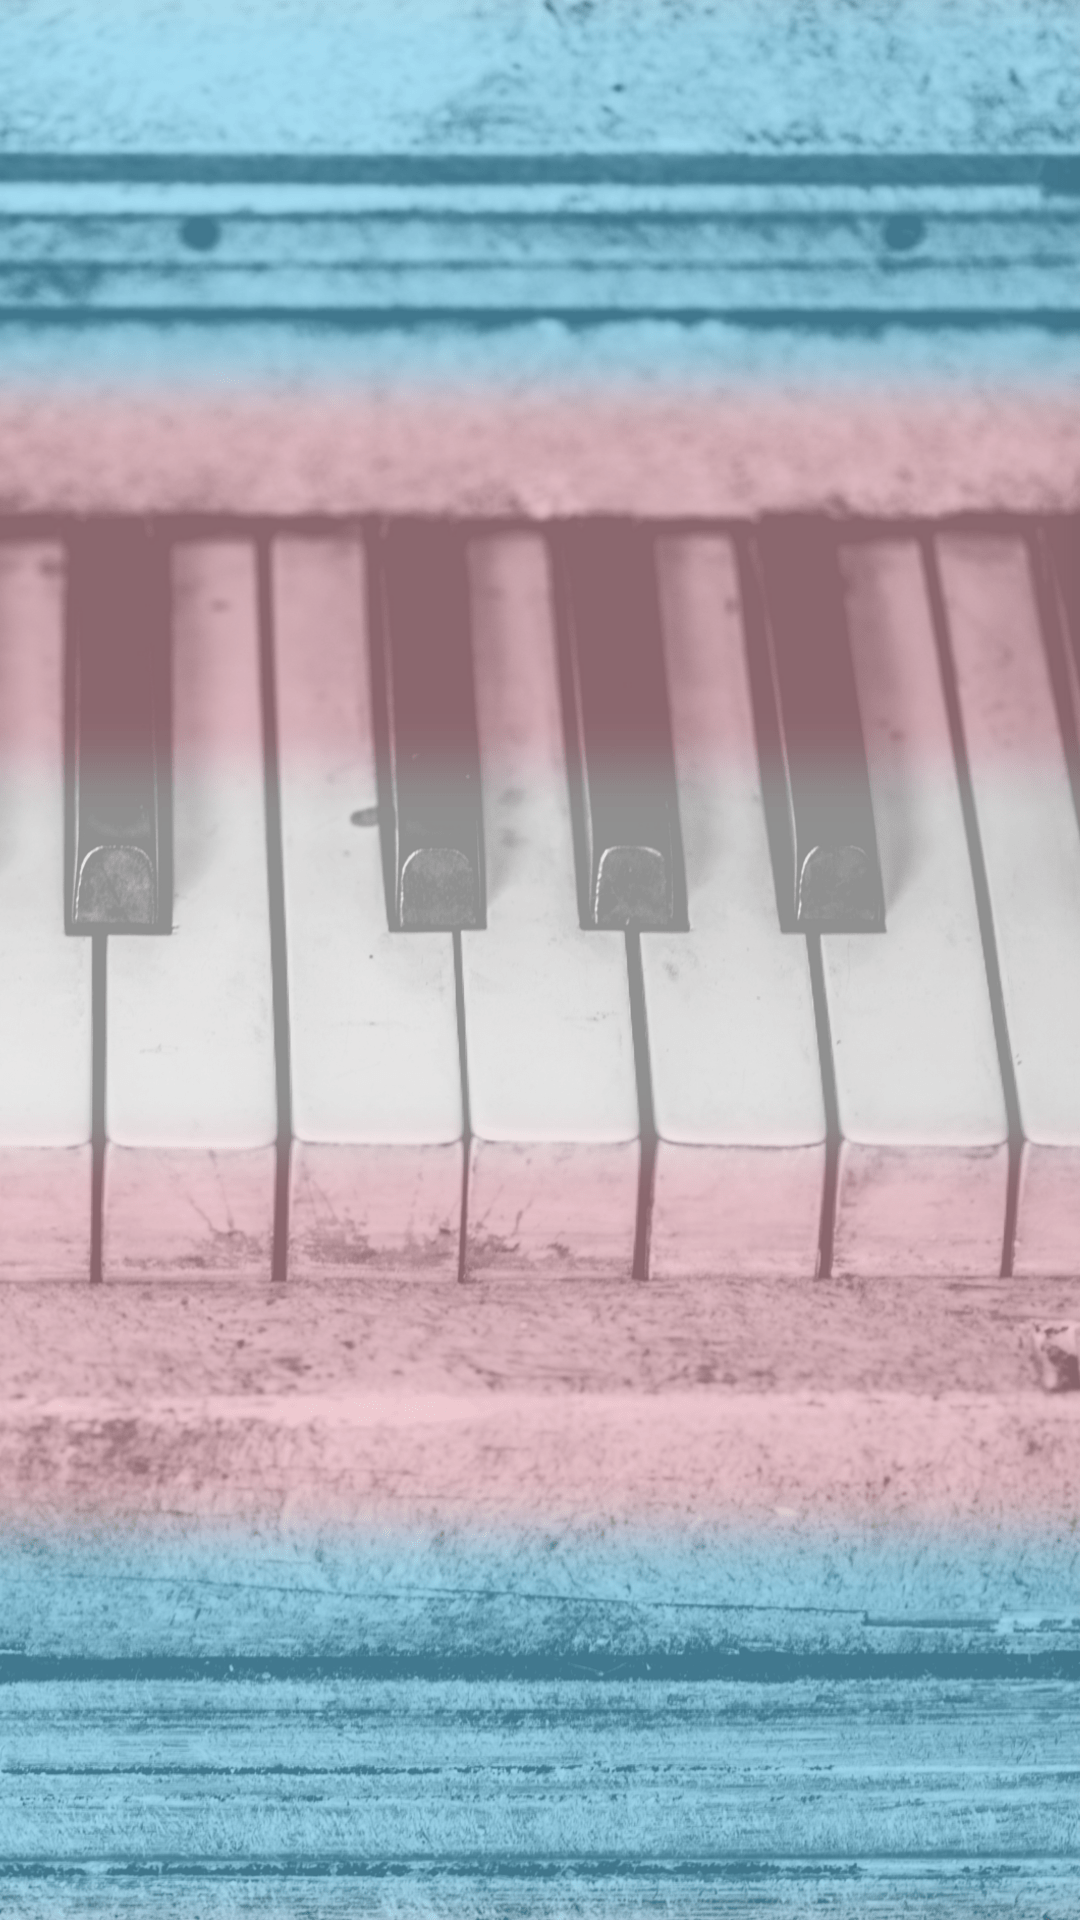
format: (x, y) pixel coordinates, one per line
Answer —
(422, 615)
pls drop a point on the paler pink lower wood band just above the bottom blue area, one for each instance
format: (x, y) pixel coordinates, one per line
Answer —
(531, 1460)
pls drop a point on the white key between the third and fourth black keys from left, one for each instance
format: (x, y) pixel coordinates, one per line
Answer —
(733, 1042)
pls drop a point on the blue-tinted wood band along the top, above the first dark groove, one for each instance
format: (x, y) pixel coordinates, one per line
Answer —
(568, 76)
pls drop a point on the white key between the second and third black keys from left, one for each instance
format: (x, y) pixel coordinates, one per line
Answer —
(554, 1111)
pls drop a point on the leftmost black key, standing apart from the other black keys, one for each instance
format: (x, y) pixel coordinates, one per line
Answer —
(118, 675)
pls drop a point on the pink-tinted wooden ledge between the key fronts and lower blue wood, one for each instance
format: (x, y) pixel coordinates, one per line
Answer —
(650, 1404)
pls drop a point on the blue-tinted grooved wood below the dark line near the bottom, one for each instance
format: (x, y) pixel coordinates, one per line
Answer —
(564, 1796)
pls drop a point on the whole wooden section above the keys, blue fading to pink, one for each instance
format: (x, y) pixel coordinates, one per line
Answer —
(702, 181)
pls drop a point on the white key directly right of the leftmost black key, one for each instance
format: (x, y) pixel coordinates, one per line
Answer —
(191, 1107)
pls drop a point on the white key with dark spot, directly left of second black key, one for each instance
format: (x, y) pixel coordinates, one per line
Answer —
(378, 1157)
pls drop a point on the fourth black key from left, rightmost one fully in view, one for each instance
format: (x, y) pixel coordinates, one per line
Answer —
(827, 846)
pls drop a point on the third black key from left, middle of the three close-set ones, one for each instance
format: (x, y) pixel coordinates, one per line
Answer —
(618, 723)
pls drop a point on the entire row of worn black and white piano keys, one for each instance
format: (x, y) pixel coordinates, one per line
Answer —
(420, 978)
